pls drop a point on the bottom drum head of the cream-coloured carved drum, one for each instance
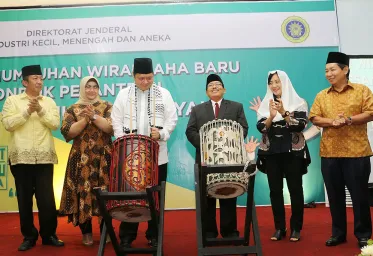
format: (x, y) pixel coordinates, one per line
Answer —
(225, 190)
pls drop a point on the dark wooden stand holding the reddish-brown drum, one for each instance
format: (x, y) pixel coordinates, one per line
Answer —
(103, 196)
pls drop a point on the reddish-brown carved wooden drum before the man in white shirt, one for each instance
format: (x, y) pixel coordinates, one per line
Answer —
(134, 167)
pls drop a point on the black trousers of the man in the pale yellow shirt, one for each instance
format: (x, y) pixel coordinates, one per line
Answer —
(35, 179)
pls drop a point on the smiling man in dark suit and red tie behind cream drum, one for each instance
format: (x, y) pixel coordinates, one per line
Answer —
(216, 108)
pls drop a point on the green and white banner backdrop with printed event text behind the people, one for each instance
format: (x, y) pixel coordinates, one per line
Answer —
(240, 41)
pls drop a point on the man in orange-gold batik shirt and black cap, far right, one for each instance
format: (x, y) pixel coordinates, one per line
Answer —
(343, 111)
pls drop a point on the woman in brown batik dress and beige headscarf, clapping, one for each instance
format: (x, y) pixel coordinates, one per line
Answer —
(88, 124)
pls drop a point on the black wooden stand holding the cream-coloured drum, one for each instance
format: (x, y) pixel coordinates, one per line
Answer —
(241, 243)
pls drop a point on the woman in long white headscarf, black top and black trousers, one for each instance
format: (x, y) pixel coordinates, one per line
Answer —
(283, 151)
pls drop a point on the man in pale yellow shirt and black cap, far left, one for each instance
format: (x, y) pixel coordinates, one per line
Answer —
(30, 117)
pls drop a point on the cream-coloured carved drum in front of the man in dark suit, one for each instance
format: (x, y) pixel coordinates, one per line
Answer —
(221, 143)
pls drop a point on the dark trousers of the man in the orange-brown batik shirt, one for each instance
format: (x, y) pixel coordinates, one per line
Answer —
(353, 173)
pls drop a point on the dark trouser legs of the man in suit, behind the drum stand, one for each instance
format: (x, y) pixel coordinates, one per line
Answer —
(228, 217)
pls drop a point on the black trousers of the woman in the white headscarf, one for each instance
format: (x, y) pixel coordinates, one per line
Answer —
(290, 166)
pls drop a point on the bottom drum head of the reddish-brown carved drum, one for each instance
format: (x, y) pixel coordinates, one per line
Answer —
(131, 213)
